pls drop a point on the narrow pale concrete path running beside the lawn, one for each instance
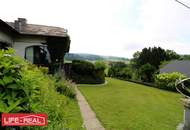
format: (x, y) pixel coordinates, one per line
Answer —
(89, 117)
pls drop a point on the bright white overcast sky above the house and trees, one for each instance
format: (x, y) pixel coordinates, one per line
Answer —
(110, 27)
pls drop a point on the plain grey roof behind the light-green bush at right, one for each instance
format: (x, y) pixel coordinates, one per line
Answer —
(182, 66)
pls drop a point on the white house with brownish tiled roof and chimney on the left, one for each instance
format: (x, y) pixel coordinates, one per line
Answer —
(40, 44)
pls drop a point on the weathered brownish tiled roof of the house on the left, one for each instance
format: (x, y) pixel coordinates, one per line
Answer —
(33, 29)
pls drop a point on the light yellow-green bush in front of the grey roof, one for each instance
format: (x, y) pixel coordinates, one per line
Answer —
(167, 80)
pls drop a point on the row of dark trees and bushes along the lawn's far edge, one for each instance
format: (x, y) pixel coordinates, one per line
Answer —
(143, 66)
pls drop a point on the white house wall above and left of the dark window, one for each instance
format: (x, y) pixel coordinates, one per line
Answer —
(21, 44)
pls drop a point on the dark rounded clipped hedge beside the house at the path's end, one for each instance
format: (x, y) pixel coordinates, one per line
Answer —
(87, 72)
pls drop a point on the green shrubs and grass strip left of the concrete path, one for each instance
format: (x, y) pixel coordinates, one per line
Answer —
(26, 89)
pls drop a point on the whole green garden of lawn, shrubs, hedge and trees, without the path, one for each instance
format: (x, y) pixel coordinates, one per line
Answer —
(119, 104)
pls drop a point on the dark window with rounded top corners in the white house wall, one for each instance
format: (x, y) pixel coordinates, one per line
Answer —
(38, 54)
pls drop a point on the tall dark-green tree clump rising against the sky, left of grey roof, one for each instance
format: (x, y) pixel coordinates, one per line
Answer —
(149, 60)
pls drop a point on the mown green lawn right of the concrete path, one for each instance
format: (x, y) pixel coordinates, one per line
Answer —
(122, 105)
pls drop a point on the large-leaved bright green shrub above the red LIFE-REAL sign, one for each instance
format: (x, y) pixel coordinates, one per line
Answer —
(16, 91)
